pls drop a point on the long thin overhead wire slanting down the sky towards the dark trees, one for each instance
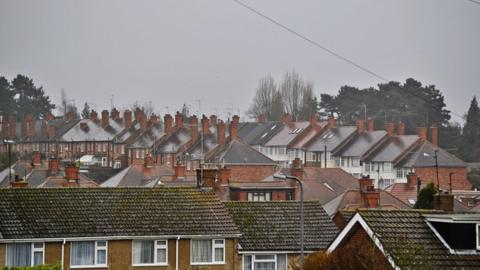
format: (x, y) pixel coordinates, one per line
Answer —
(314, 43)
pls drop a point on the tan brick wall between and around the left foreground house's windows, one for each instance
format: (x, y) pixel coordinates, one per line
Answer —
(120, 256)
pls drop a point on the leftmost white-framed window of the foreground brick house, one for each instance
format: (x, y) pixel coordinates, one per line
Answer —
(25, 254)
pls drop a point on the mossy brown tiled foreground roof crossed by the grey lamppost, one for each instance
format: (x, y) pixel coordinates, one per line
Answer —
(274, 225)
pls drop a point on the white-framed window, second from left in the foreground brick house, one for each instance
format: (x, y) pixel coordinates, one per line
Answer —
(89, 253)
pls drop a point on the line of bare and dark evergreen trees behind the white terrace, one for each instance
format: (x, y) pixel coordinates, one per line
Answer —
(410, 102)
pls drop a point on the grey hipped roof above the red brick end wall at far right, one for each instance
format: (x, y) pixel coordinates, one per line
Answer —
(417, 158)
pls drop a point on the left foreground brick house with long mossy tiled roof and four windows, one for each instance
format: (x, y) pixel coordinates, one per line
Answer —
(116, 228)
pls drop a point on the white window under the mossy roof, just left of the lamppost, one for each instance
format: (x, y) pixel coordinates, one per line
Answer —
(265, 262)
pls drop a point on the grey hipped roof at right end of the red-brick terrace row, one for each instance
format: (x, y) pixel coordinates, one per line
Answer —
(237, 152)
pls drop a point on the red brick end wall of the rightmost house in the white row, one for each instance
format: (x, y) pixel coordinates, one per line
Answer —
(459, 178)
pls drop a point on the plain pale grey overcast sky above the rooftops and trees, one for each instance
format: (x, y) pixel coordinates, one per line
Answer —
(171, 52)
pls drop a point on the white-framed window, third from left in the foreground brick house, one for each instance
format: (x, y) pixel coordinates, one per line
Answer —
(149, 252)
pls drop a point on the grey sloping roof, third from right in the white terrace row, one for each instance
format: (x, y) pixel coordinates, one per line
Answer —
(361, 143)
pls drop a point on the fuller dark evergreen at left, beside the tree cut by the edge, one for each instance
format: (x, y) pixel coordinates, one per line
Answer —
(31, 99)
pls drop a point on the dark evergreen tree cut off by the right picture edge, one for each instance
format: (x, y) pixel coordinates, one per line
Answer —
(470, 140)
